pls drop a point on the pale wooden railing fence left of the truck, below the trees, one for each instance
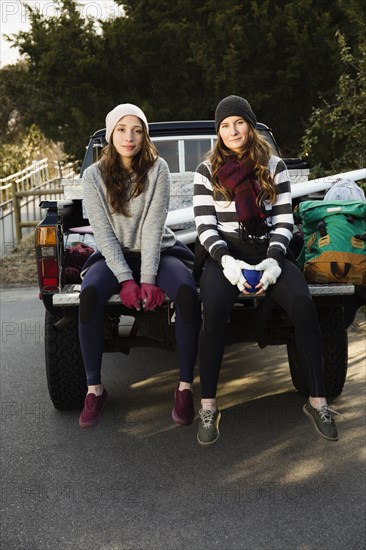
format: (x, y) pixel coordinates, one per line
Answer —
(20, 195)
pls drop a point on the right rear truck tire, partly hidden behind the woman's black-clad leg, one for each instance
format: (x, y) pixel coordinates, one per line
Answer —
(335, 353)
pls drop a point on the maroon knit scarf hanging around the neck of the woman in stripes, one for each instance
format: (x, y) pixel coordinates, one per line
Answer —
(238, 177)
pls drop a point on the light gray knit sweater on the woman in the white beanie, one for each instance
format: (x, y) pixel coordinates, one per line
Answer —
(144, 231)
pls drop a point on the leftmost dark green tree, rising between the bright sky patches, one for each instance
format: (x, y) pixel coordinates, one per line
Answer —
(62, 92)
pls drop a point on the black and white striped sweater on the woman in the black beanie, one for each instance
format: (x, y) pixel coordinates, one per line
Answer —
(217, 222)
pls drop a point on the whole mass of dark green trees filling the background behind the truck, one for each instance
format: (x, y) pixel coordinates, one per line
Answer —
(178, 59)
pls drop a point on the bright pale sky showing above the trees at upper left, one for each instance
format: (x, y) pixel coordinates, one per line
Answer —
(14, 18)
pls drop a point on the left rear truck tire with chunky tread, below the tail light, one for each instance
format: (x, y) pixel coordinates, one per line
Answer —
(64, 364)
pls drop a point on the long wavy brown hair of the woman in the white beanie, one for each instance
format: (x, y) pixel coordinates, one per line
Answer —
(122, 184)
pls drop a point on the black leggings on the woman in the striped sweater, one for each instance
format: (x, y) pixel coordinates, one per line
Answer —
(290, 292)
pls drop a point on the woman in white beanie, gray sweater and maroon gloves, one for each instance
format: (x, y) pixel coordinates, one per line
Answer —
(126, 197)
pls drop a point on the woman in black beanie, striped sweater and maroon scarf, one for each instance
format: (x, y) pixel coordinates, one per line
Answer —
(243, 213)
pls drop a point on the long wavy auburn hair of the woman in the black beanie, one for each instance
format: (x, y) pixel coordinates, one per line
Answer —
(259, 153)
